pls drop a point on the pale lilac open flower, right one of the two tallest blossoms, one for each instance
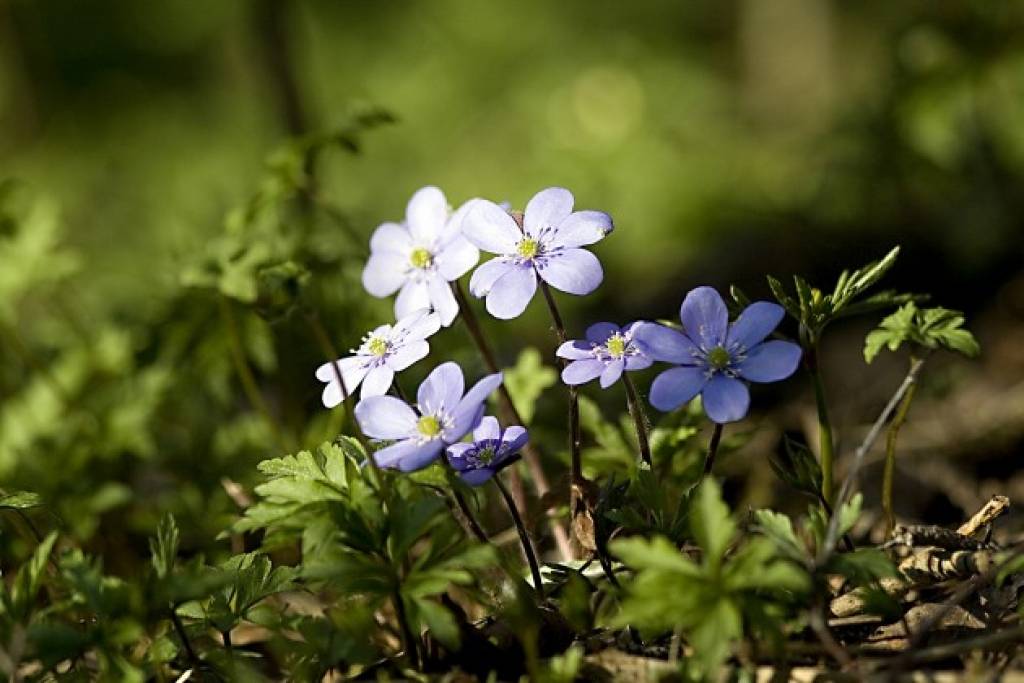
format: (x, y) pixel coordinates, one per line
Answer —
(548, 245)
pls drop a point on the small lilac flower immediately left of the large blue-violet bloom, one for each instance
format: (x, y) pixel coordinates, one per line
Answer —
(606, 353)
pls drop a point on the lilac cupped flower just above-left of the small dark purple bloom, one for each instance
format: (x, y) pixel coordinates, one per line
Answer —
(443, 416)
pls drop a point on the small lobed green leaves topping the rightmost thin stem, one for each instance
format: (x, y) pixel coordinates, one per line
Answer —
(922, 328)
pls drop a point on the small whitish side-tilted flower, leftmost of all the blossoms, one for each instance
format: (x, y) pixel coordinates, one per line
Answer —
(386, 351)
